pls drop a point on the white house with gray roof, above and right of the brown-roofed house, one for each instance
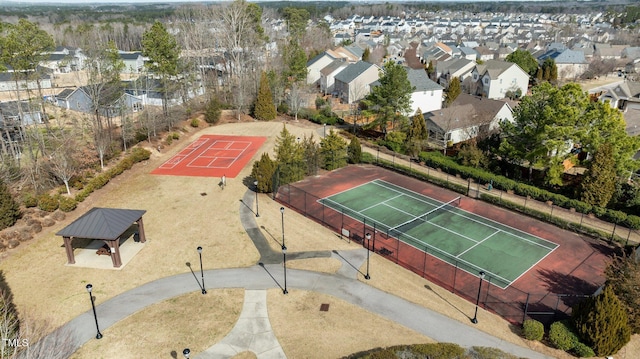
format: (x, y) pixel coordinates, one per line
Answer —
(499, 79)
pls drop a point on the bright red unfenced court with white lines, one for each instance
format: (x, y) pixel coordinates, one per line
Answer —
(212, 156)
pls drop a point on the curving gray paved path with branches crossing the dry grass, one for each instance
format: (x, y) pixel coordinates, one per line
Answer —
(253, 330)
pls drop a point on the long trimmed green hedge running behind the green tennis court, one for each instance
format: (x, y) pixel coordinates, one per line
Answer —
(448, 165)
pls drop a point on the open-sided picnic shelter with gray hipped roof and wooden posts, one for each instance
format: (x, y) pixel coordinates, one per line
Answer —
(107, 224)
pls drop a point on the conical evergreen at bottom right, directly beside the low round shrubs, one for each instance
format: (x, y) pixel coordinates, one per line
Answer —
(601, 323)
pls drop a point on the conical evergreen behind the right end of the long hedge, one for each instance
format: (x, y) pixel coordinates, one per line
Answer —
(599, 183)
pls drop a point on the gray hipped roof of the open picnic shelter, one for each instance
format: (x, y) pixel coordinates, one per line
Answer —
(102, 223)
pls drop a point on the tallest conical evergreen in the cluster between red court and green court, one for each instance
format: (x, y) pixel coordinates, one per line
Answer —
(291, 165)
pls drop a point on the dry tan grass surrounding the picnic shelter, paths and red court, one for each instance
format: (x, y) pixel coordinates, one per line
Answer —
(179, 219)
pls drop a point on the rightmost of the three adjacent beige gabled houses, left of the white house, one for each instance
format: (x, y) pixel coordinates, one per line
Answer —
(353, 82)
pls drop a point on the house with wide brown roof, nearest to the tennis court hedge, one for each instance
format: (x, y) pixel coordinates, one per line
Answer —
(468, 117)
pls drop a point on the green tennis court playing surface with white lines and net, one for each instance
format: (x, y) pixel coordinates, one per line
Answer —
(466, 240)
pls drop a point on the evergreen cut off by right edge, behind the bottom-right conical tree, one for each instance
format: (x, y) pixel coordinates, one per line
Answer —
(623, 276)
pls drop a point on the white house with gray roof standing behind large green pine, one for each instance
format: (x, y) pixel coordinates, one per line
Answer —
(426, 95)
